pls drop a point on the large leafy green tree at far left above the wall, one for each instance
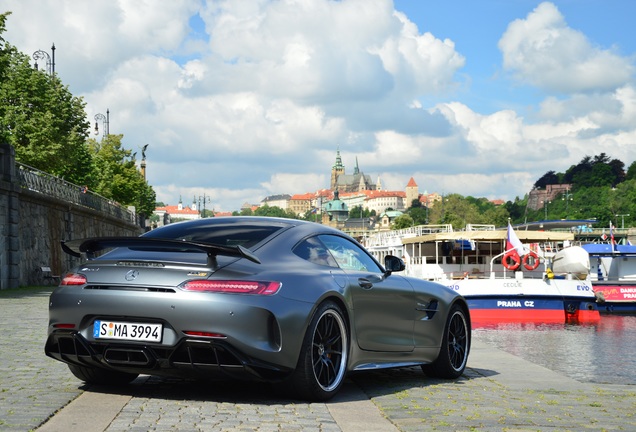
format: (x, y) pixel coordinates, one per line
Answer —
(41, 119)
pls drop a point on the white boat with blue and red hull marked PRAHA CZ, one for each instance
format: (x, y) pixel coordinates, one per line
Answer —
(549, 281)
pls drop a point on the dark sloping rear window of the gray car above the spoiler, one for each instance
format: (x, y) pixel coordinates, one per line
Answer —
(219, 234)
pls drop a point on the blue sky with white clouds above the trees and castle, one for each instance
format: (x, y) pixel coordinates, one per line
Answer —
(239, 100)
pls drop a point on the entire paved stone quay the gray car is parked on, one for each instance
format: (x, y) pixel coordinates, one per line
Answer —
(498, 392)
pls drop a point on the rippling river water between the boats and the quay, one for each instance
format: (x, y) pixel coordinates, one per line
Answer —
(599, 353)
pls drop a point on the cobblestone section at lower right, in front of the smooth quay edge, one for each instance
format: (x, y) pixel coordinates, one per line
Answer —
(477, 402)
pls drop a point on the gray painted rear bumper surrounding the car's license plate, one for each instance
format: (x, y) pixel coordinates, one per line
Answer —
(264, 328)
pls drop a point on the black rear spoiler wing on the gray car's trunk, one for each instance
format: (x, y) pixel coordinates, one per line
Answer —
(89, 247)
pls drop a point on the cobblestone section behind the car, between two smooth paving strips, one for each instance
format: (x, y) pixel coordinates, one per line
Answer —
(177, 406)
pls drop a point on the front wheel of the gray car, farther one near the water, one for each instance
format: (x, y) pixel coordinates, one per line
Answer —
(453, 355)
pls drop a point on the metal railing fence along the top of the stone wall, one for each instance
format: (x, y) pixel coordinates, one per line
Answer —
(52, 186)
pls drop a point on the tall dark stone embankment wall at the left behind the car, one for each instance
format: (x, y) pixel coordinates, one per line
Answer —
(32, 225)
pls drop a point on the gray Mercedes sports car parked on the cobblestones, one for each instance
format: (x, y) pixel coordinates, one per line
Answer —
(271, 299)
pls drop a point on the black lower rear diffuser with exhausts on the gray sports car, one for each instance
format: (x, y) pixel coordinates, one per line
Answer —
(189, 358)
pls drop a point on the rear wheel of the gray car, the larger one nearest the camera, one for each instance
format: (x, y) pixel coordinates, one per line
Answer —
(322, 364)
